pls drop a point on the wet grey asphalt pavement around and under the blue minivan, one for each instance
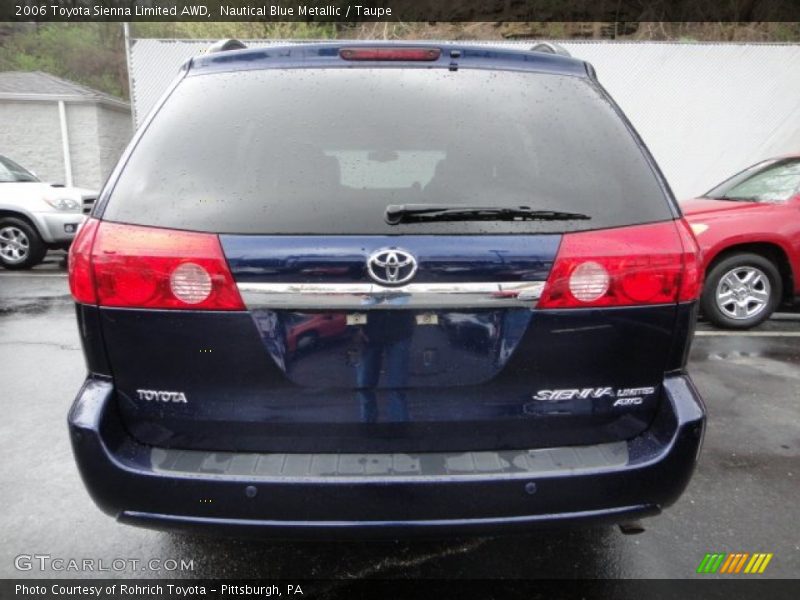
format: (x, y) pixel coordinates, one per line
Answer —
(743, 497)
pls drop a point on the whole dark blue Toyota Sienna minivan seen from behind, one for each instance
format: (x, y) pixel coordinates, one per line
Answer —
(385, 289)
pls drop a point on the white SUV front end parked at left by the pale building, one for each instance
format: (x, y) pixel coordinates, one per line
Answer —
(36, 216)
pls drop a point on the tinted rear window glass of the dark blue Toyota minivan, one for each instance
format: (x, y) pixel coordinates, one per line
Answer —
(324, 151)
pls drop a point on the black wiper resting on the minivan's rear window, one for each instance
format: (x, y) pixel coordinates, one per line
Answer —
(417, 213)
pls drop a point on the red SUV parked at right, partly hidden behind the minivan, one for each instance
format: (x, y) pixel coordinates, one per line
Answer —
(748, 228)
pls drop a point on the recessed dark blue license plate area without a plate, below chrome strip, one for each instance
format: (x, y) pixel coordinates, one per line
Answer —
(390, 349)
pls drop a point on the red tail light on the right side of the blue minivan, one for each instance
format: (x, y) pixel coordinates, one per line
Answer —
(645, 264)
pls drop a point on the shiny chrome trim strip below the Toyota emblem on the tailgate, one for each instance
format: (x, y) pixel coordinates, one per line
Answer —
(371, 296)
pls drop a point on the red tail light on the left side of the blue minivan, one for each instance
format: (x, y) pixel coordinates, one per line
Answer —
(143, 267)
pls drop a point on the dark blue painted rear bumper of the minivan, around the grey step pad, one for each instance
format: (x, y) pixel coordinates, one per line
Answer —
(124, 479)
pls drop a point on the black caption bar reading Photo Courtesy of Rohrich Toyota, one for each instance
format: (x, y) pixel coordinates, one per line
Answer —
(420, 589)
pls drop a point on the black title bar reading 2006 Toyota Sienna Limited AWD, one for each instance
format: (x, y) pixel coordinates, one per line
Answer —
(401, 10)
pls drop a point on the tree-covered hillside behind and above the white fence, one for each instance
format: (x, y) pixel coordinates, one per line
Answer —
(93, 54)
